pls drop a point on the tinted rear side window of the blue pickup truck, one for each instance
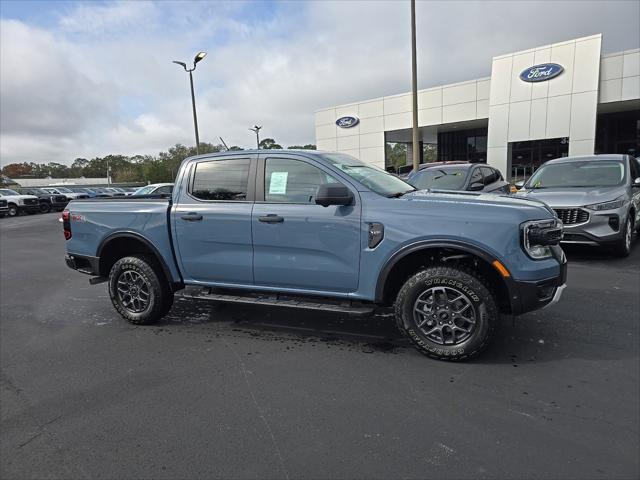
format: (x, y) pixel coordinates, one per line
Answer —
(221, 180)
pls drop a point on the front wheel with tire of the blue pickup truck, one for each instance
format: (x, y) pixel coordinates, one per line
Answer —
(447, 312)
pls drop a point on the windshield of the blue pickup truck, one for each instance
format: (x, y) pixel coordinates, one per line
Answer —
(372, 177)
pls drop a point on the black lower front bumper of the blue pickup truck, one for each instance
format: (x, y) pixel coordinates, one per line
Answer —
(529, 296)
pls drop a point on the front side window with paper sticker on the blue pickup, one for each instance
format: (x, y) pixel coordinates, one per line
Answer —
(292, 181)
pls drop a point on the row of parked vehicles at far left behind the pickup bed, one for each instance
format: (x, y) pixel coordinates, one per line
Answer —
(55, 198)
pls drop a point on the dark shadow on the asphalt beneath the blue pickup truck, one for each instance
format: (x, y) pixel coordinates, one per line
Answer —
(532, 338)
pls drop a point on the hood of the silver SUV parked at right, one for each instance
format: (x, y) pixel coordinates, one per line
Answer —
(572, 197)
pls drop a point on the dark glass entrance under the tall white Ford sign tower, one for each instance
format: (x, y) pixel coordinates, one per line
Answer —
(526, 157)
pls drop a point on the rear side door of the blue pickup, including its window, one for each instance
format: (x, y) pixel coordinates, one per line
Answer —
(212, 221)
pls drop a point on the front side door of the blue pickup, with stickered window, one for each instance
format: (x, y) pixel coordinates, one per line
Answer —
(298, 244)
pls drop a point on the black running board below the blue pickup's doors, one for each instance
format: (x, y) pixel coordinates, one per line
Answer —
(279, 300)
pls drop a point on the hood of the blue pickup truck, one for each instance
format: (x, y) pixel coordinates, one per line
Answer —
(475, 198)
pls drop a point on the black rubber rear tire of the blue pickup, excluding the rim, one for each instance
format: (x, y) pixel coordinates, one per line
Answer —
(160, 297)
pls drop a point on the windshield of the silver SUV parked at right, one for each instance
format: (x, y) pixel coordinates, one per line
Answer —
(588, 173)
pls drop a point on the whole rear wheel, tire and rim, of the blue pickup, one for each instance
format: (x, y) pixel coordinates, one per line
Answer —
(138, 289)
